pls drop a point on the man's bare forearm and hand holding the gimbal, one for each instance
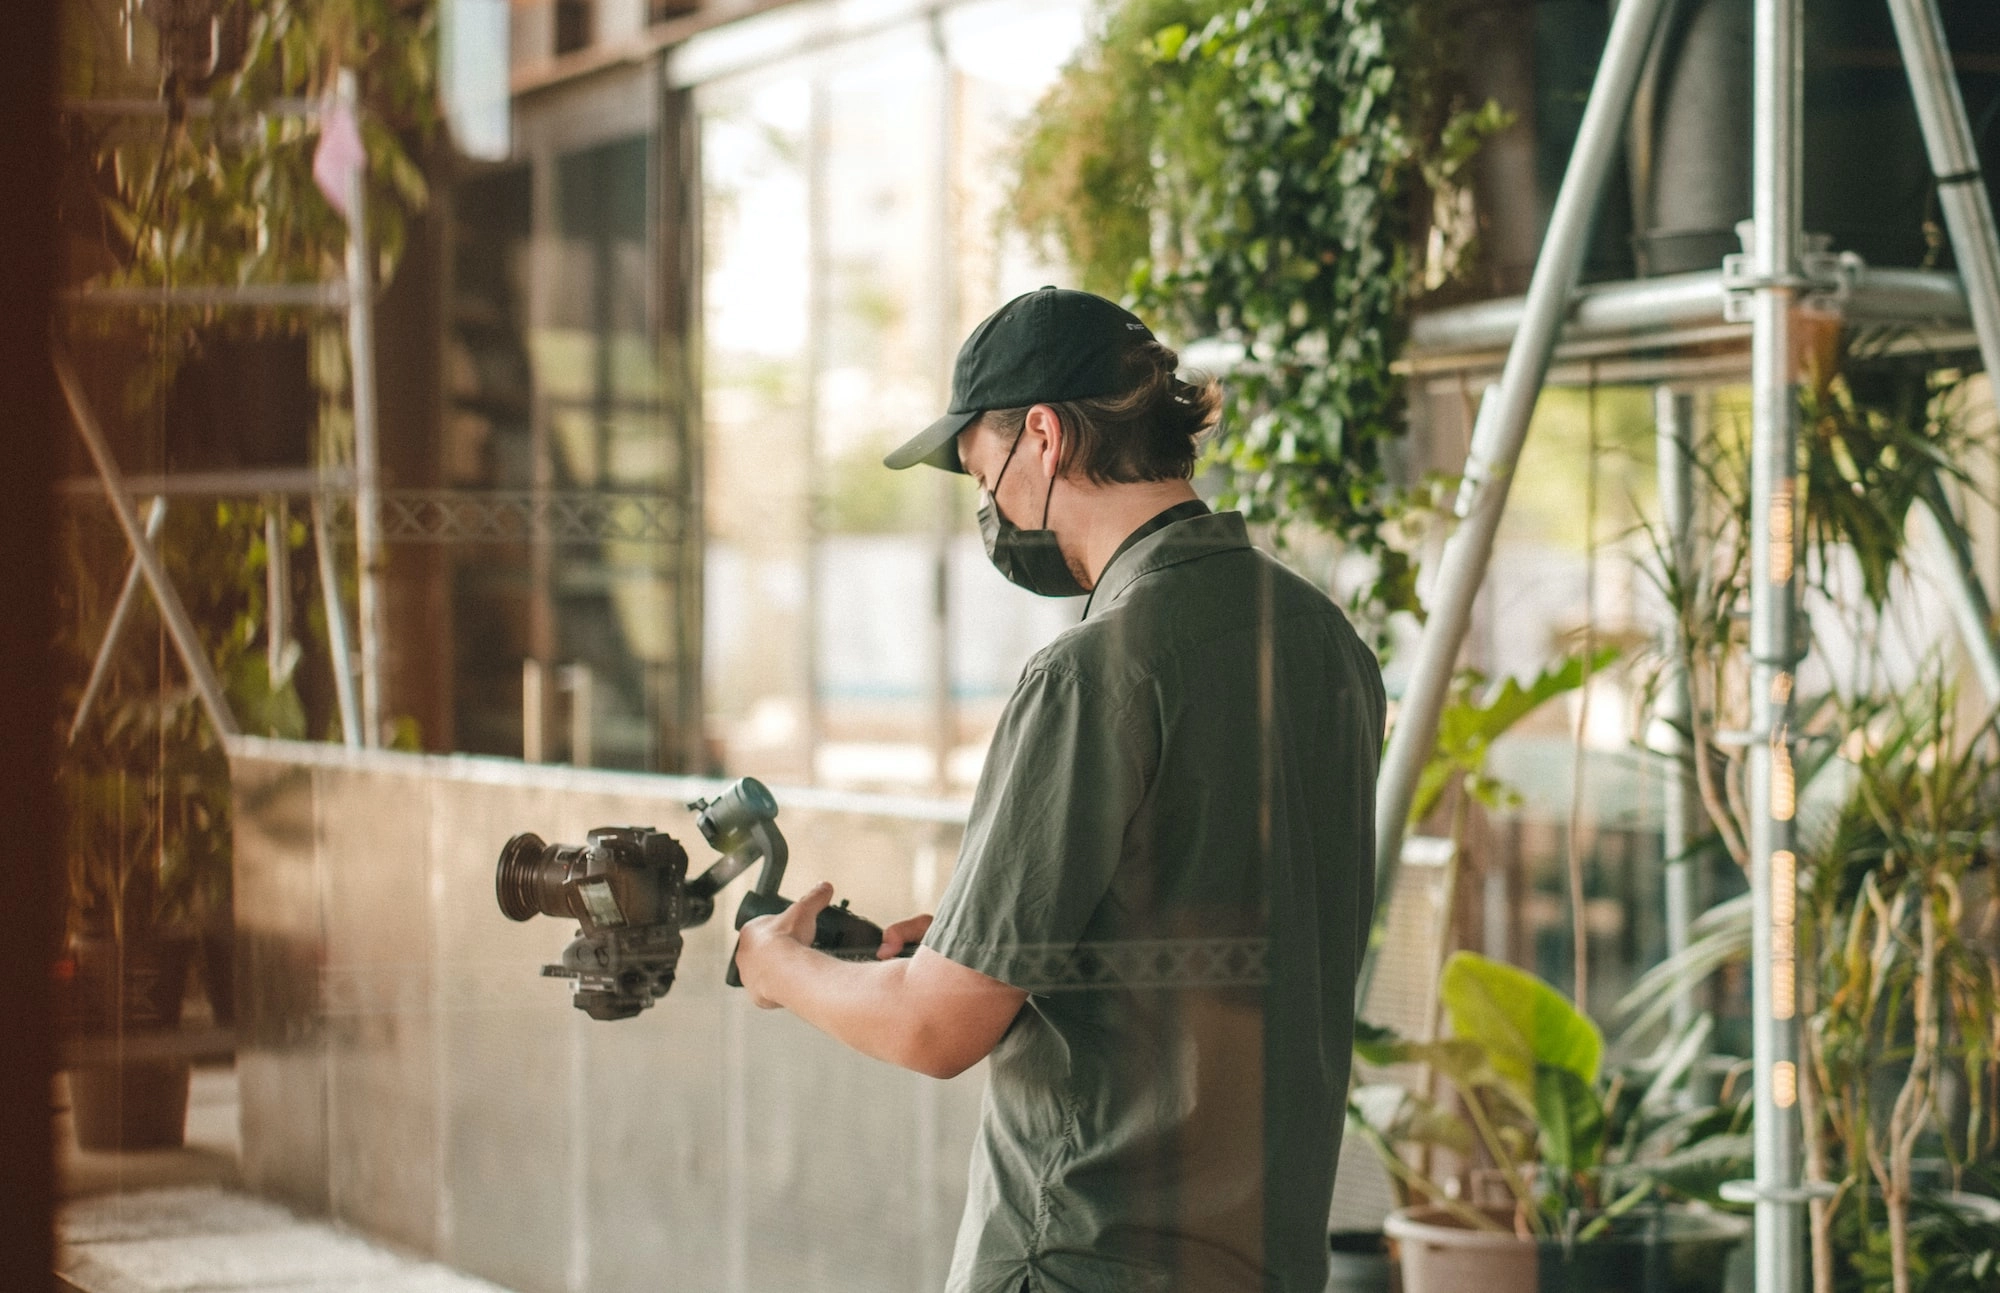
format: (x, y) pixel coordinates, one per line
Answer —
(925, 1014)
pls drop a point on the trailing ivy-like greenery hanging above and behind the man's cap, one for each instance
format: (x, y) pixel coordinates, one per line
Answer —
(1265, 173)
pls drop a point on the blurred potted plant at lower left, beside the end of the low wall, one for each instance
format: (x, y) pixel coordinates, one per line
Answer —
(147, 844)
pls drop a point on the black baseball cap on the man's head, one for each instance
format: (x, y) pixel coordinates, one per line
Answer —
(1039, 349)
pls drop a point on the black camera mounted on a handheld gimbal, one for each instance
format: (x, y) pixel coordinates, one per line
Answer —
(629, 892)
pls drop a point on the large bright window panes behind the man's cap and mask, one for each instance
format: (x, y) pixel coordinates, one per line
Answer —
(853, 221)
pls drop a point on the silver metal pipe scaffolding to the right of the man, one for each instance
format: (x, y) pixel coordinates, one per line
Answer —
(1761, 295)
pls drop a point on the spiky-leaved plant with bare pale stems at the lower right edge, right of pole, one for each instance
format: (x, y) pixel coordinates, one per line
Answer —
(1901, 994)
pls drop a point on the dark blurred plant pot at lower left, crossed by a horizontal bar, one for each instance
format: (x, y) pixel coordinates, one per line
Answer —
(129, 992)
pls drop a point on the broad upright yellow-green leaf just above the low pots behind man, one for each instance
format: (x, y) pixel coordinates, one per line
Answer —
(1519, 1022)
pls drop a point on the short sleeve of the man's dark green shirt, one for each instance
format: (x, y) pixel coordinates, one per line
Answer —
(1063, 782)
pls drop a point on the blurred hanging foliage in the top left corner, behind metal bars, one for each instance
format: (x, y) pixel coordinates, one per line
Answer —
(217, 189)
